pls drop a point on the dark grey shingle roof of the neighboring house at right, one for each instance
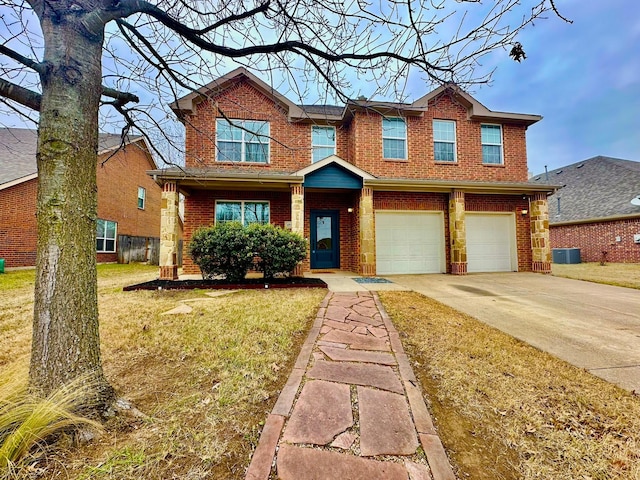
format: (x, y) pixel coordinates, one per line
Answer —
(595, 188)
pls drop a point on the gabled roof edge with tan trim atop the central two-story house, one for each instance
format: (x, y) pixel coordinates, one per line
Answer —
(334, 113)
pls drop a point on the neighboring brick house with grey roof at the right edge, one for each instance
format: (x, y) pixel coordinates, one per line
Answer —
(593, 210)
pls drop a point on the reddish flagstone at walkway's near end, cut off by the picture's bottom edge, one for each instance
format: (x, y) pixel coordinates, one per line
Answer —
(295, 463)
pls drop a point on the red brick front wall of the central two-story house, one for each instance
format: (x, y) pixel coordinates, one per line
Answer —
(359, 143)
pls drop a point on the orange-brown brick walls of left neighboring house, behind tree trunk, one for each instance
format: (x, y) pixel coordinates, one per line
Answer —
(118, 181)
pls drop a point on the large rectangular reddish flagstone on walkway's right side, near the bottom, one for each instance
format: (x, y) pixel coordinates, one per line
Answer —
(385, 424)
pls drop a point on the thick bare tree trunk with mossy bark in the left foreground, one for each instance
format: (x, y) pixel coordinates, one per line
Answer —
(66, 342)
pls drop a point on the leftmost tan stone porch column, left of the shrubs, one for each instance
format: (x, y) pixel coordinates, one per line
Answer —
(169, 232)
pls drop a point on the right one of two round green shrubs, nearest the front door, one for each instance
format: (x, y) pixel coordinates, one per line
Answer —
(278, 250)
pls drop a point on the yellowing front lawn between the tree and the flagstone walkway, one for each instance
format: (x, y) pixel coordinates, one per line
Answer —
(206, 380)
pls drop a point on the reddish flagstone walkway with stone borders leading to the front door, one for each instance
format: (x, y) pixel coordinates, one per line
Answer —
(352, 408)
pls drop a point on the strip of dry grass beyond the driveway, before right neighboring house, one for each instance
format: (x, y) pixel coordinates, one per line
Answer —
(618, 274)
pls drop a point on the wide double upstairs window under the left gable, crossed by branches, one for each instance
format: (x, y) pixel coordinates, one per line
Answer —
(242, 141)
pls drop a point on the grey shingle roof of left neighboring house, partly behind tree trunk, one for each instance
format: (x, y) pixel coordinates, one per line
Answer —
(18, 153)
